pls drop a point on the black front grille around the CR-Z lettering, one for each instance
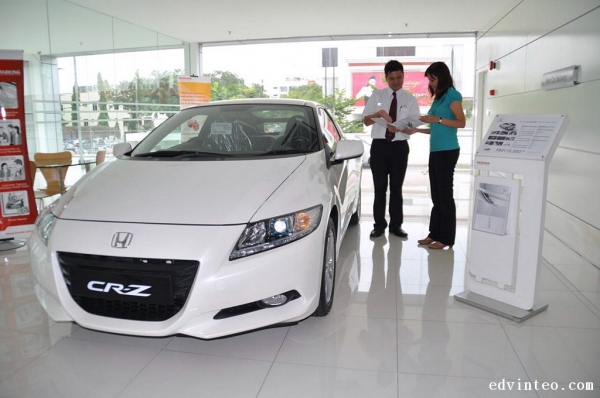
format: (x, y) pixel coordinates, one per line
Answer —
(180, 272)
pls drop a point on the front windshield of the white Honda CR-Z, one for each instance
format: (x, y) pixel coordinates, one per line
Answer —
(233, 130)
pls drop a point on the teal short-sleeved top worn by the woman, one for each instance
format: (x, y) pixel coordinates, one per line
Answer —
(443, 138)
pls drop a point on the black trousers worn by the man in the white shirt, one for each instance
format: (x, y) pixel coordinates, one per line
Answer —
(388, 162)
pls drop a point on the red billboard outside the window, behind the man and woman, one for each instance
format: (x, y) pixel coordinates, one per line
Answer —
(363, 83)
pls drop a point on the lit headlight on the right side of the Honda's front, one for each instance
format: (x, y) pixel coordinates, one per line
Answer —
(277, 231)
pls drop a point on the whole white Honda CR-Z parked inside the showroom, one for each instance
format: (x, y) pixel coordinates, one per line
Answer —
(205, 232)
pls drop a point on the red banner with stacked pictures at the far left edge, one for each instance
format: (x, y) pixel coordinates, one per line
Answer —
(17, 202)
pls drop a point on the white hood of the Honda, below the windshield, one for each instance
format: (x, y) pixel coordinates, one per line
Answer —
(176, 192)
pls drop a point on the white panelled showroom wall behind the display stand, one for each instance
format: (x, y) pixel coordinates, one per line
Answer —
(533, 38)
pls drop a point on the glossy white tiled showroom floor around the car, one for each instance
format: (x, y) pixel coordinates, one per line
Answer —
(395, 331)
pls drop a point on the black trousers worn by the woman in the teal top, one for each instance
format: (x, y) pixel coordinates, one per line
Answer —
(442, 224)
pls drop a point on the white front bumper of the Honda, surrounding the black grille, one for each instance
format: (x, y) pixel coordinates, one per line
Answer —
(218, 283)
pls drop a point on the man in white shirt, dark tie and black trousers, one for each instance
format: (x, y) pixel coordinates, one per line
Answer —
(389, 156)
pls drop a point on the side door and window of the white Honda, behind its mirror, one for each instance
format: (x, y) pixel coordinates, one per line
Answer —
(346, 175)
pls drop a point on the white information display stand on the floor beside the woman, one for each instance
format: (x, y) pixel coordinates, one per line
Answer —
(508, 214)
